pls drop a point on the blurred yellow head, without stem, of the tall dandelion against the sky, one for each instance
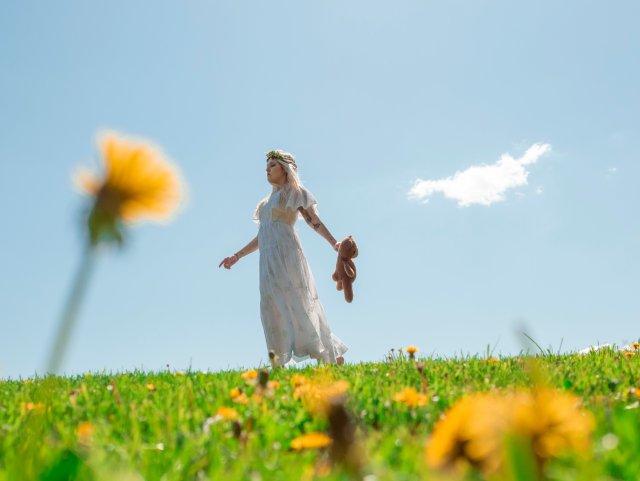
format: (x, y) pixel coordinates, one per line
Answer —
(138, 183)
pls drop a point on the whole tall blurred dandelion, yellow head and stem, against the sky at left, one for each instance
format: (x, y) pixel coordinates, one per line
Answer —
(138, 183)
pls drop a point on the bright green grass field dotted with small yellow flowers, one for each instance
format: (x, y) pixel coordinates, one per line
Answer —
(169, 426)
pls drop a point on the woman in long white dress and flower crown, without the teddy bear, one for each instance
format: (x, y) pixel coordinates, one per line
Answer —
(293, 320)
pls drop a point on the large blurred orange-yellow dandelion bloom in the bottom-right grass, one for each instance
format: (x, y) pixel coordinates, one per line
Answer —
(476, 429)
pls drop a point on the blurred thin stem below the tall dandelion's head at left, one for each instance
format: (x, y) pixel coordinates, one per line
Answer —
(68, 319)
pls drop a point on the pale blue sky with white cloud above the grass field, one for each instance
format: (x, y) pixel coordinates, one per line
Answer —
(483, 154)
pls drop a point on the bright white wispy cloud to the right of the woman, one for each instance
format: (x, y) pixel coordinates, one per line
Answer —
(481, 184)
